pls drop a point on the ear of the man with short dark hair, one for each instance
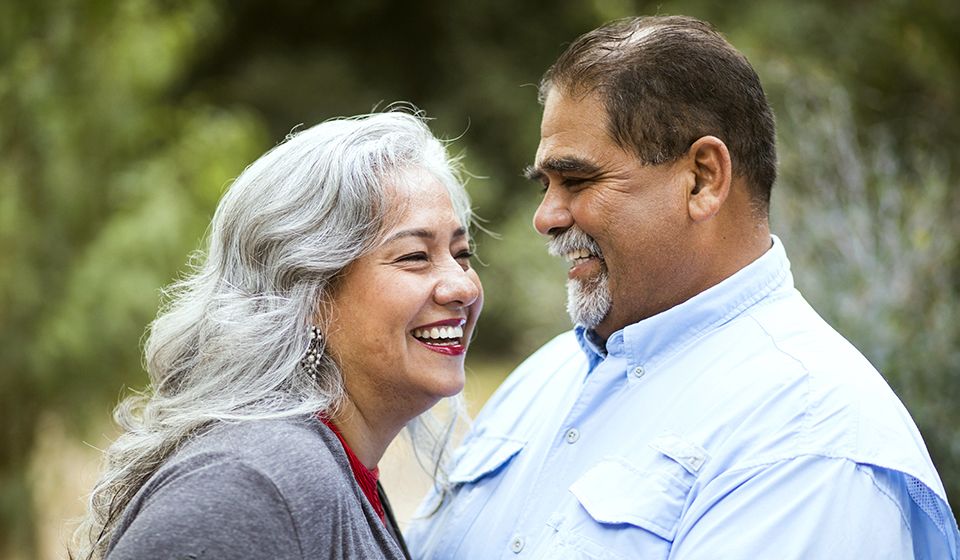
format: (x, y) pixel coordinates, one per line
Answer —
(713, 174)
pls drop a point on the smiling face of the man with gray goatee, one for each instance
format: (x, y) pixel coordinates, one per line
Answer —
(621, 223)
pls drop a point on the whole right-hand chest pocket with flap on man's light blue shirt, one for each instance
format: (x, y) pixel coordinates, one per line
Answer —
(647, 492)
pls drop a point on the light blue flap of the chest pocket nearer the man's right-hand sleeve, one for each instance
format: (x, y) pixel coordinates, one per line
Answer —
(616, 492)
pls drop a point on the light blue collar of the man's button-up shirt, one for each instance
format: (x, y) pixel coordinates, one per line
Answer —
(649, 341)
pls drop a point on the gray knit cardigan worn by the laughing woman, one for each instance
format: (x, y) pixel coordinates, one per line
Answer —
(272, 489)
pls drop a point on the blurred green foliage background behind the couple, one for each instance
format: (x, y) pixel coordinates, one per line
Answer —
(121, 123)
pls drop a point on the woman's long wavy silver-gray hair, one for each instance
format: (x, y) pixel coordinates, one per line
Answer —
(227, 344)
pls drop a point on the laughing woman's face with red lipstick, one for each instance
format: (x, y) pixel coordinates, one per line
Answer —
(404, 313)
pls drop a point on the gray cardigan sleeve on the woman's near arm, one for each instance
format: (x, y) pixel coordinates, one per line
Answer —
(222, 510)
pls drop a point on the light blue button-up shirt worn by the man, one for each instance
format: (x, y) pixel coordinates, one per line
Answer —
(735, 425)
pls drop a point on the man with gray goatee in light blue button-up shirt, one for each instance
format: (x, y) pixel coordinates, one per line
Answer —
(700, 408)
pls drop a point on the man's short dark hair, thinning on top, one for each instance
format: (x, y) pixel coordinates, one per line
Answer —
(665, 82)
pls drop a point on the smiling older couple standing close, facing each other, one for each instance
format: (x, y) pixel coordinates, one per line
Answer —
(699, 409)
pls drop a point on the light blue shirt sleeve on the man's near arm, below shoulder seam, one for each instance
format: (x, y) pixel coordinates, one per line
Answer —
(806, 507)
